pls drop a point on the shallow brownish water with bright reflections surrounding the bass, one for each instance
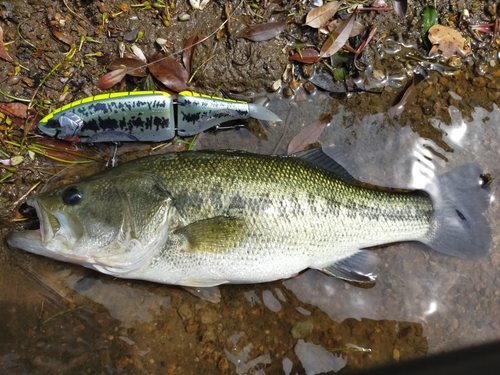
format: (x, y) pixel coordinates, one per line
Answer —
(422, 302)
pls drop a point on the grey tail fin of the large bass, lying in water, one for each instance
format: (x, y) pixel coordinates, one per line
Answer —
(459, 227)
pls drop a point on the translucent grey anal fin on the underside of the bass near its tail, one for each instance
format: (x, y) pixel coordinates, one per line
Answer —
(361, 267)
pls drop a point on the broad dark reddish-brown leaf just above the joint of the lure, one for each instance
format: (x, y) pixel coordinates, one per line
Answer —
(170, 72)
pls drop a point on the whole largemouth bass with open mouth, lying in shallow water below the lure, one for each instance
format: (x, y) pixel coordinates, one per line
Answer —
(208, 218)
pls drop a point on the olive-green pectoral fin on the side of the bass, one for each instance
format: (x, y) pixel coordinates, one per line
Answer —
(214, 235)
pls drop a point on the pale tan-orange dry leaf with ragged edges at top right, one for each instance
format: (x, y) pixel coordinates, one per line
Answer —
(448, 41)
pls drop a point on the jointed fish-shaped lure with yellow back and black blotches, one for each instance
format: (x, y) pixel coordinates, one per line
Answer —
(145, 116)
